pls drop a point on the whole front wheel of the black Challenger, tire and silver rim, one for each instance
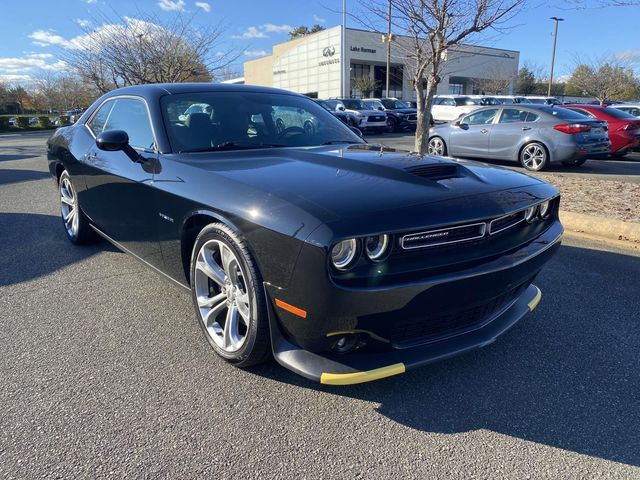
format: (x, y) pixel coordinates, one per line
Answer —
(227, 294)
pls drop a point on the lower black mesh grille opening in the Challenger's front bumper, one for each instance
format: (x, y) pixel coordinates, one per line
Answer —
(422, 329)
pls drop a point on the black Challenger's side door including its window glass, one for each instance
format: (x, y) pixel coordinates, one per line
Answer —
(120, 194)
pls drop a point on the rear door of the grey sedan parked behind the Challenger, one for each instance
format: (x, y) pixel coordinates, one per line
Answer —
(506, 134)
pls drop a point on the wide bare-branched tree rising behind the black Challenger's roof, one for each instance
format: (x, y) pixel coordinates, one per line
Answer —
(127, 51)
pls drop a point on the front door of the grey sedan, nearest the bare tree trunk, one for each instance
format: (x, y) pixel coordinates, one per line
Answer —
(470, 138)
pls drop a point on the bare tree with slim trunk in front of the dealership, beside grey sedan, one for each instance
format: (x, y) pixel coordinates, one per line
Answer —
(433, 28)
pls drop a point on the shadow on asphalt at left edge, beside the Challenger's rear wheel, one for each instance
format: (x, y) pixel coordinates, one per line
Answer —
(34, 245)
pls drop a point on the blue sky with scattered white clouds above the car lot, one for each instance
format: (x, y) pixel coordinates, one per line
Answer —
(33, 32)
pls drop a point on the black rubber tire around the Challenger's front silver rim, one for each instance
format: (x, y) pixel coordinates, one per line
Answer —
(256, 347)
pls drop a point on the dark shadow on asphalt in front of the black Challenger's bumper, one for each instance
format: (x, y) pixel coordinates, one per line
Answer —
(566, 376)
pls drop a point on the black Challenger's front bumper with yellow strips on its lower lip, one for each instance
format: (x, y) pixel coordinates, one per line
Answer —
(393, 319)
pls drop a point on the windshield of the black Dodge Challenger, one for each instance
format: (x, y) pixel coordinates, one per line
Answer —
(245, 120)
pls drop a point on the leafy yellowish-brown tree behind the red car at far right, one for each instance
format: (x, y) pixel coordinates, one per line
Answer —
(604, 79)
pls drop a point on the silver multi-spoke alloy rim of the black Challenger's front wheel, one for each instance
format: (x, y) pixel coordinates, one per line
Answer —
(221, 292)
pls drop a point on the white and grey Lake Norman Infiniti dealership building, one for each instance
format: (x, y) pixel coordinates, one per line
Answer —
(316, 65)
